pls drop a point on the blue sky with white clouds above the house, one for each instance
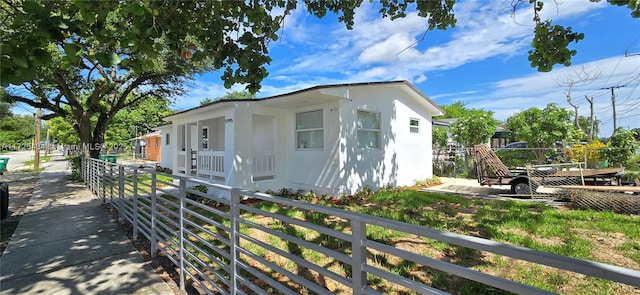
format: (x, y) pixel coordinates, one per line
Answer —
(482, 62)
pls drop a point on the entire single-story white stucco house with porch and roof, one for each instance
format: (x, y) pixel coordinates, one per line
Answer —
(332, 139)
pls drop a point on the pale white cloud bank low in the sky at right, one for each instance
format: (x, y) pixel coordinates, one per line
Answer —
(507, 97)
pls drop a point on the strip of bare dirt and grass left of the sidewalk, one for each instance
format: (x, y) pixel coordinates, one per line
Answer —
(21, 186)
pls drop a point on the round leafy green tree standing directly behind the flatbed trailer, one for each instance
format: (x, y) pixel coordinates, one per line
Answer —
(541, 129)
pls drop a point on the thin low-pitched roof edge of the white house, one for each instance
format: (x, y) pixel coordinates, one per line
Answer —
(300, 94)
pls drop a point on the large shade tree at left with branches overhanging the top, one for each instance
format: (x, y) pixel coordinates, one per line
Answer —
(100, 57)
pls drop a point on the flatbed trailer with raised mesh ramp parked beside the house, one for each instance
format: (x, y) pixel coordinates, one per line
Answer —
(526, 180)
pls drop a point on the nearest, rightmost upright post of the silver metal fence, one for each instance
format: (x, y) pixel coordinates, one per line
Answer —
(359, 255)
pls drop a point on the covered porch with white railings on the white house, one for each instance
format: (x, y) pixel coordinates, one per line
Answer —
(212, 149)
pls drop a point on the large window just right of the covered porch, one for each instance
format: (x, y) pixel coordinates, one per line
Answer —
(309, 132)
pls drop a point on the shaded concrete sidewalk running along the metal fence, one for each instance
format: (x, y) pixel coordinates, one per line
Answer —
(66, 243)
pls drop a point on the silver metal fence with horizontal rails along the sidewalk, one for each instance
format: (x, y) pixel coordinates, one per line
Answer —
(252, 243)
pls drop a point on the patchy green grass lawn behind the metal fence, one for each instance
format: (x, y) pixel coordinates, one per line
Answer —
(598, 236)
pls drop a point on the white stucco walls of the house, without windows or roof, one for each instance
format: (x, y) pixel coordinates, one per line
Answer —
(340, 166)
